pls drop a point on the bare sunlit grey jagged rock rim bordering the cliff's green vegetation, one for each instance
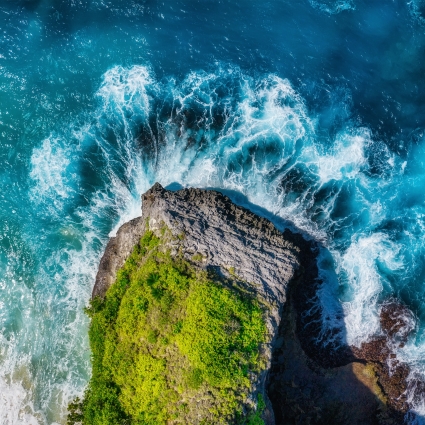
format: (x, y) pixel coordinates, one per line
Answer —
(216, 234)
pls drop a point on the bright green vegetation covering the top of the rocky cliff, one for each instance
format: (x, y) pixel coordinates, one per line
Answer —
(171, 345)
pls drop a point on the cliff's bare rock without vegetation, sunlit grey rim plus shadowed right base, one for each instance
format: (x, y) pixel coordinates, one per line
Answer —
(301, 384)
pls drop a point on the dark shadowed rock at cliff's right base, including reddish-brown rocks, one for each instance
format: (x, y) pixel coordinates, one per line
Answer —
(313, 383)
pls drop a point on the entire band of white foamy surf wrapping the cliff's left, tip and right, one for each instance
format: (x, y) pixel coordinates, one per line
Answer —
(221, 129)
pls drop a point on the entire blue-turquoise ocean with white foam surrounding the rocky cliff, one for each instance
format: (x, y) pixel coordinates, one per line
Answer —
(313, 110)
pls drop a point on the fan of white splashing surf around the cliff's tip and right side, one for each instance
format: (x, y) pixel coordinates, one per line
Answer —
(254, 136)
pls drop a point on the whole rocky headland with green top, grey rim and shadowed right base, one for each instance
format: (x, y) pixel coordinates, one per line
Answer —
(199, 315)
